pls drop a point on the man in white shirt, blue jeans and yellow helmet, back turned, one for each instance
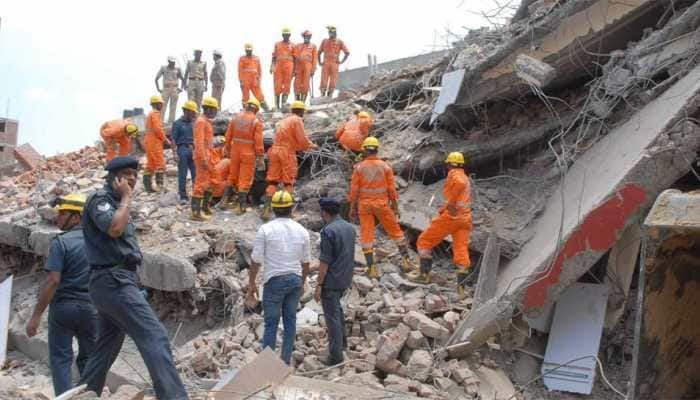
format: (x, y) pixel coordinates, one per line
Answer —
(283, 248)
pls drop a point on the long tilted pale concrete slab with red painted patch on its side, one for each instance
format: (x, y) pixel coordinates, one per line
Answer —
(607, 189)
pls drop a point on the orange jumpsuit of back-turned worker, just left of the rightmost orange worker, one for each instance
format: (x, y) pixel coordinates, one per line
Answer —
(373, 187)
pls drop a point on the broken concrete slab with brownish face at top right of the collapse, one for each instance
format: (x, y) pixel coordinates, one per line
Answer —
(600, 27)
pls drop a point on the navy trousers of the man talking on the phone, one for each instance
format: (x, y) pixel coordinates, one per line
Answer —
(123, 310)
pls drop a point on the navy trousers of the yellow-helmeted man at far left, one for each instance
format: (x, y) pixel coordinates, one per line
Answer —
(69, 319)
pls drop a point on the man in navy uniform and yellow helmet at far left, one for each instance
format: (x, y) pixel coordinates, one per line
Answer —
(65, 292)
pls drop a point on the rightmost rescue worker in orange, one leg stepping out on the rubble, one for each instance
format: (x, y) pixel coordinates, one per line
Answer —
(455, 218)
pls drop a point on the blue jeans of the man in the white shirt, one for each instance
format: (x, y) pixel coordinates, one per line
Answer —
(281, 295)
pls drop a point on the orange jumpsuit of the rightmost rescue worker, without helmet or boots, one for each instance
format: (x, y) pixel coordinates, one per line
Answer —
(457, 193)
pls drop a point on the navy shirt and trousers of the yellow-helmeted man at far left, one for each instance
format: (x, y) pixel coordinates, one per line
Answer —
(70, 313)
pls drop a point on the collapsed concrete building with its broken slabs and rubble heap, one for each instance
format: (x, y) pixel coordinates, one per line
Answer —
(574, 118)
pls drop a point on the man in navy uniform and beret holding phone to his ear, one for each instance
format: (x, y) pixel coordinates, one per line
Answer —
(114, 256)
